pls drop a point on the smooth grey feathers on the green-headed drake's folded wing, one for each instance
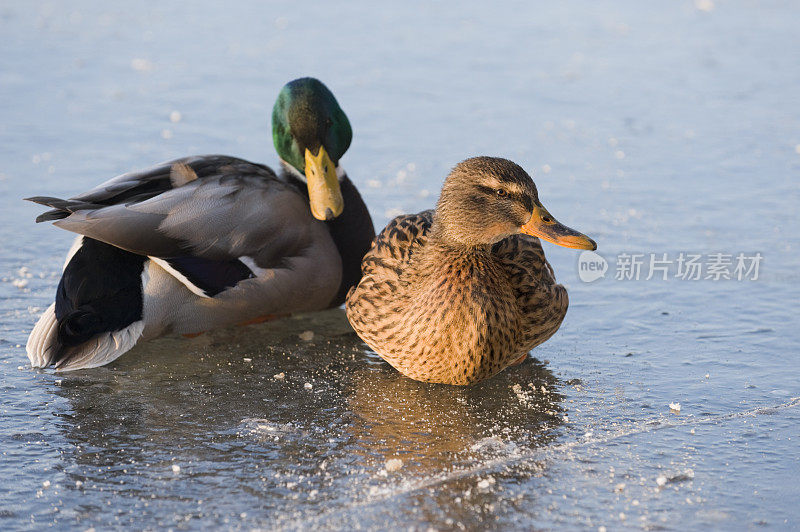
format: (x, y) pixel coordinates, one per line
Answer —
(205, 218)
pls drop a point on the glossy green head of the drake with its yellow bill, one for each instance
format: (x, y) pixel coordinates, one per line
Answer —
(311, 133)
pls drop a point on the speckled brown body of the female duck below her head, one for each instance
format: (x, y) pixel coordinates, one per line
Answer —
(454, 317)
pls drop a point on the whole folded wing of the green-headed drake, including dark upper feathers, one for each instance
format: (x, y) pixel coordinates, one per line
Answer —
(207, 217)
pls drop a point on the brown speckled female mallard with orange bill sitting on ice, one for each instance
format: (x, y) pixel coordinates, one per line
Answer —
(458, 294)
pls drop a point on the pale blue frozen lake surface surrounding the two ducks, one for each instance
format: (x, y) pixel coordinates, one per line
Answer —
(661, 128)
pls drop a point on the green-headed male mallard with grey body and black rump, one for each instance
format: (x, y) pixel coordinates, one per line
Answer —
(208, 241)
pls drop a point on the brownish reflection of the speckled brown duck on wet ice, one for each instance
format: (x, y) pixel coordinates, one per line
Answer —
(436, 427)
